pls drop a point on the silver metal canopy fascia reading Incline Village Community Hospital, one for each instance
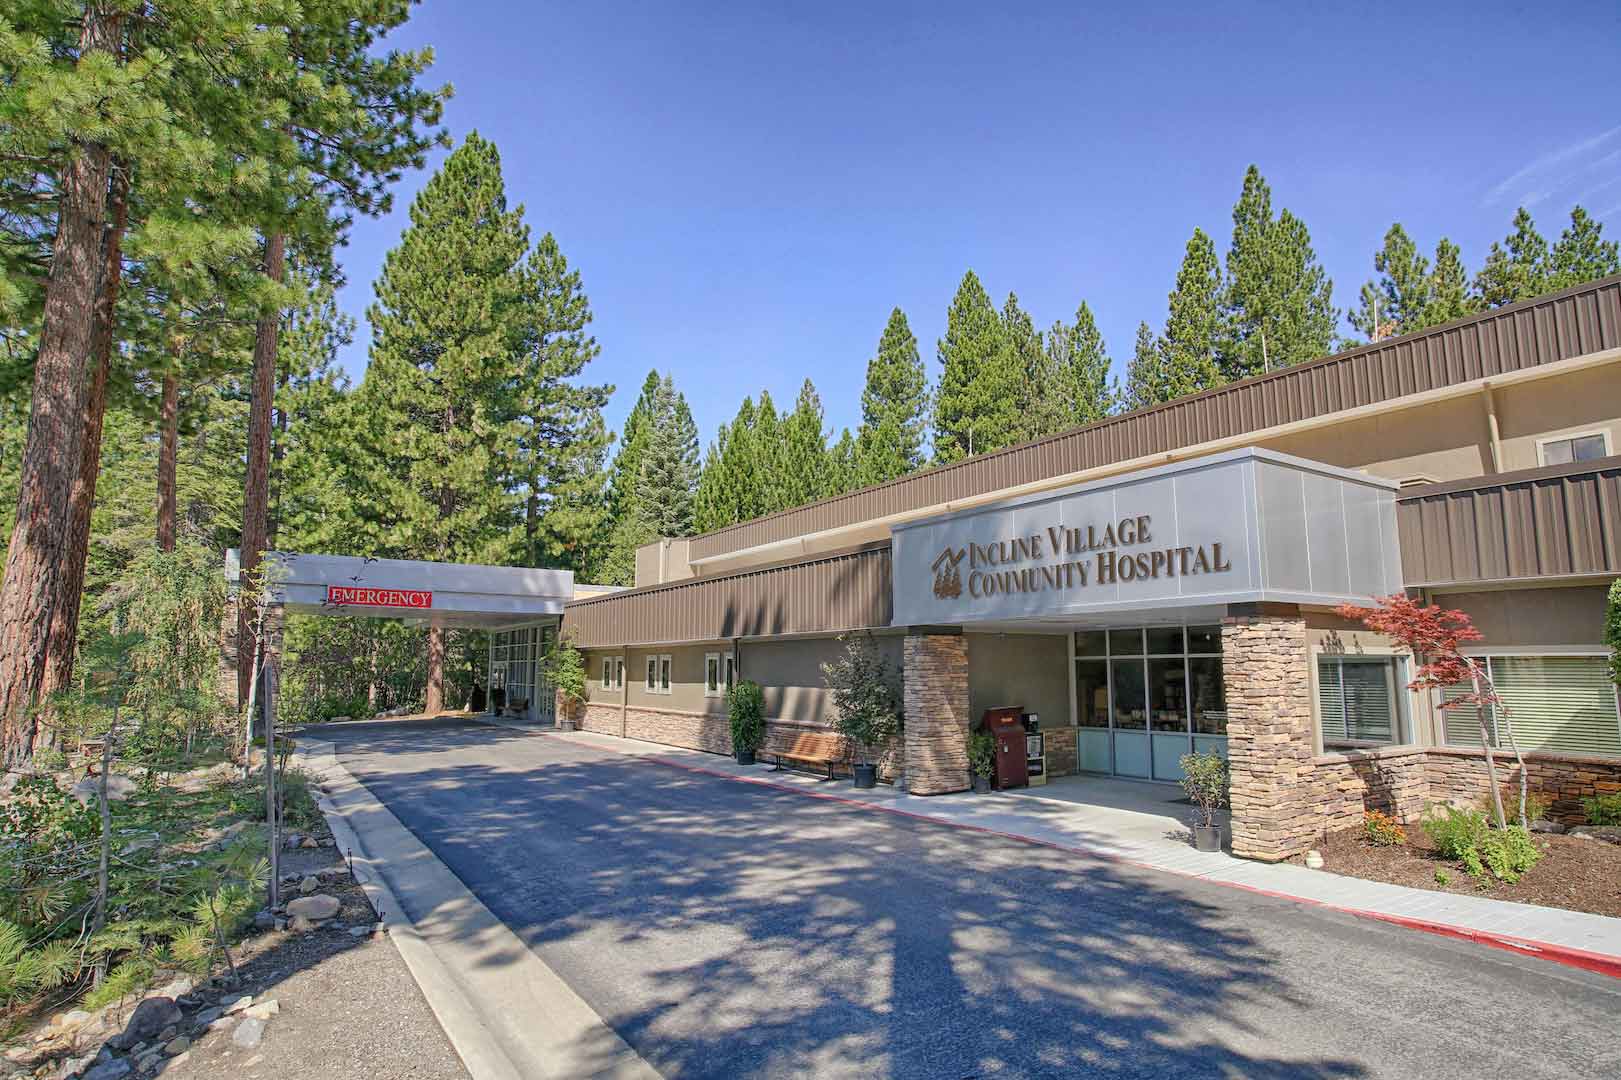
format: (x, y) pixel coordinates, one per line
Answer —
(1246, 526)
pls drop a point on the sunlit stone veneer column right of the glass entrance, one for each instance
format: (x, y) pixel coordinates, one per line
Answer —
(1270, 742)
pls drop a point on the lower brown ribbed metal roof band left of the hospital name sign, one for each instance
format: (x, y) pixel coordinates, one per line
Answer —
(831, 594)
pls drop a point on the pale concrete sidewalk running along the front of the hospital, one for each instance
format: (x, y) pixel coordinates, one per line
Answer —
(1150, 831)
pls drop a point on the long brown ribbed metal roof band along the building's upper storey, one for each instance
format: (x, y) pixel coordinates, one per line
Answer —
(1515, 338)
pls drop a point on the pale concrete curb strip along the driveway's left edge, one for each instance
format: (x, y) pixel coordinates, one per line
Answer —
(510, 1021)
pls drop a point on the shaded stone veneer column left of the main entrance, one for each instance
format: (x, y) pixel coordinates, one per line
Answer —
(936, 708)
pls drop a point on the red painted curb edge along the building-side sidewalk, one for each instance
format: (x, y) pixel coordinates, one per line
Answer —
(1599, 962)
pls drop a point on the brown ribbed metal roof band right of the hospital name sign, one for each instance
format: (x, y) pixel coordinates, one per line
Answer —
(1552, 521)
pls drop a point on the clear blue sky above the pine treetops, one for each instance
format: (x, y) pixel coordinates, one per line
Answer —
(748, 189)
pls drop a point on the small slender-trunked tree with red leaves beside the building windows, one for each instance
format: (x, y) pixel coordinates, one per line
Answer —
(1435, 636)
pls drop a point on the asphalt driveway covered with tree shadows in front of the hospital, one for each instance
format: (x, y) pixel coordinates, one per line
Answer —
(727, 930)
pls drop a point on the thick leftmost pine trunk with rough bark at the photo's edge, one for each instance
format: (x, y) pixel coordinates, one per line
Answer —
(51, 456)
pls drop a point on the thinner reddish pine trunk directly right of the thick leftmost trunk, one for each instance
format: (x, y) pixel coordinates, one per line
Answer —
(66, 617)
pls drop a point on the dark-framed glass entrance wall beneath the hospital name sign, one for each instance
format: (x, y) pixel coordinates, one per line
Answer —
(1147, 696)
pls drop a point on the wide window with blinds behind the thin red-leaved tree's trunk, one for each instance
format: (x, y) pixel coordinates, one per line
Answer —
(1565, 705)
